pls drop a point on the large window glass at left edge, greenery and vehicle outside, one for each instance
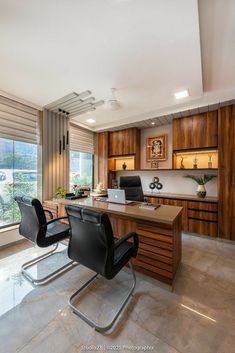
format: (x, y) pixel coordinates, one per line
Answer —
(18, 175)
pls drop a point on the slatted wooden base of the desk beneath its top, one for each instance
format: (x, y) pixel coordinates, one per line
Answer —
(159, 243)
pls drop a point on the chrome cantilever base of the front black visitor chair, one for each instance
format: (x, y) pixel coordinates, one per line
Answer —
(90, 321)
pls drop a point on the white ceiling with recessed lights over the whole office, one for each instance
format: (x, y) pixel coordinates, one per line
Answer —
(146, 49)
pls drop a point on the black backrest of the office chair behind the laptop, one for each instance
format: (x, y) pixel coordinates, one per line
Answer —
(133, 188)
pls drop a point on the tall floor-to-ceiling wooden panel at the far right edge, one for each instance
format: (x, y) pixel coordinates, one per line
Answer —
(227, 172)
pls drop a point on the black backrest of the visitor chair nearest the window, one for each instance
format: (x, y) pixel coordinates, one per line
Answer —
(33, 220)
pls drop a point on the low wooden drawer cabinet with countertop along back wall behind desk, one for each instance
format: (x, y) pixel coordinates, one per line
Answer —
(197, 217)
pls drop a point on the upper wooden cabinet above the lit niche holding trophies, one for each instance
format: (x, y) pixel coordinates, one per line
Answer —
(197, 131)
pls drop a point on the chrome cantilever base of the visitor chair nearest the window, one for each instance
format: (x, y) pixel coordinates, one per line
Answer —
(51, 276)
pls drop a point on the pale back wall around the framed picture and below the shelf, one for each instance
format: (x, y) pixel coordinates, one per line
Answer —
(173, 181)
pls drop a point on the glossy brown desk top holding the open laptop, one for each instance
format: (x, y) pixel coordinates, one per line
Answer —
(164, 214)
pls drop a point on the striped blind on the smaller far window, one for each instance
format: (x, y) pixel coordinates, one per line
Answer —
(81, 140)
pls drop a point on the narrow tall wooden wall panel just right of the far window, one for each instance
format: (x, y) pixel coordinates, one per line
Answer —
(103, 145)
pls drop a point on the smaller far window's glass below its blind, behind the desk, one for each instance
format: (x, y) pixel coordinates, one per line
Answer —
(81, 169)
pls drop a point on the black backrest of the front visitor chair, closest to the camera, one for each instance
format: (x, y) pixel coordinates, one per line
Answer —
(91, 241)
